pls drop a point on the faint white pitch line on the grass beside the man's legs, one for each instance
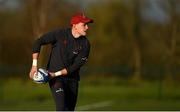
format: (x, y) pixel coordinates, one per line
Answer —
(95, 105)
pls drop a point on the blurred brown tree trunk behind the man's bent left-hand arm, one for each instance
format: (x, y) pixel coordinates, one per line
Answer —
(39, 13)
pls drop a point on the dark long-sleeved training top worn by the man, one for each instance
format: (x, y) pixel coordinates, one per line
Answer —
(67, 52)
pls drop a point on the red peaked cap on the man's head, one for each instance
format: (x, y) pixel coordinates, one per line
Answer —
(80, 18)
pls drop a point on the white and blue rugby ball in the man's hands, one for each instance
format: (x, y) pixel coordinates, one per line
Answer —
(41, 76)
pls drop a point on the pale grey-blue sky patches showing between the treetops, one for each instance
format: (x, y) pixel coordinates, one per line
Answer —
(152, 11)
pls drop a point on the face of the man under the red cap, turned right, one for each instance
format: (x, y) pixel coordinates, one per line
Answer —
(81, 28)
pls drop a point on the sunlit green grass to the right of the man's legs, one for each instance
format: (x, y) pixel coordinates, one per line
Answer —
(130, 98)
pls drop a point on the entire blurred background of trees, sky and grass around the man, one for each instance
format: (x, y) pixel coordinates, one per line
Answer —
(134, 63)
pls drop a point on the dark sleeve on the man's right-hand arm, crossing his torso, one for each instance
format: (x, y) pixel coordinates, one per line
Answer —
(81, 59)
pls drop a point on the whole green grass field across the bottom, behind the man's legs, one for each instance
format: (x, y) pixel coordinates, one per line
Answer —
(18, 94)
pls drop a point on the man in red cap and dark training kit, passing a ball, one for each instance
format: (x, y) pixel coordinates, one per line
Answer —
(70, 50)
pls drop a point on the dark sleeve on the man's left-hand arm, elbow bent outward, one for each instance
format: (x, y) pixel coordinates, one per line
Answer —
(48, 38)
